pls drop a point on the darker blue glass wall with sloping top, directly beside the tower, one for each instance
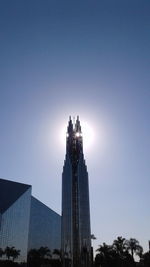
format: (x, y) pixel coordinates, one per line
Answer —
(45, 227)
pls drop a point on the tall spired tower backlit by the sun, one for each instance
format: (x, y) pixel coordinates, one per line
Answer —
(76, 233)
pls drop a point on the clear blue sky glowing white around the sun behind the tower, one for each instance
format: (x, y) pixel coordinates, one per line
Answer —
(86, 58)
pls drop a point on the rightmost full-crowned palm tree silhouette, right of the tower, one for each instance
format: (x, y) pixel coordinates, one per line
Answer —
(134, 247)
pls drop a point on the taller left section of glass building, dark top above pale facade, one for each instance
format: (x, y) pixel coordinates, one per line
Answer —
(15, 199)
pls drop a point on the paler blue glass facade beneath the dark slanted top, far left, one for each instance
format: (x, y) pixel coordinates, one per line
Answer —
(14, 225)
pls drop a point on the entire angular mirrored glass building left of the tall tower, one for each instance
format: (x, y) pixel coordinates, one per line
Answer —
(25, 222)
